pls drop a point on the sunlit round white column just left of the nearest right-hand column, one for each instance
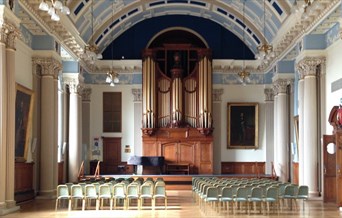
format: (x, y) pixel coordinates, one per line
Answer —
(281, 130)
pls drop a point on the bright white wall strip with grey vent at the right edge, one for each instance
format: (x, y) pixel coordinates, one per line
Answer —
(333, 73)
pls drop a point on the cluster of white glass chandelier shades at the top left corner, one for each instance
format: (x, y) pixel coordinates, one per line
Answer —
(53, 9)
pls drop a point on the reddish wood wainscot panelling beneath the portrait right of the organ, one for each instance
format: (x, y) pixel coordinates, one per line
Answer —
(243, 168)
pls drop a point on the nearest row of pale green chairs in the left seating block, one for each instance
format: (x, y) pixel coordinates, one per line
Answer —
(113, 192)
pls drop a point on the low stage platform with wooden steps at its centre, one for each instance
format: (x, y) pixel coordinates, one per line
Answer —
(182, 182)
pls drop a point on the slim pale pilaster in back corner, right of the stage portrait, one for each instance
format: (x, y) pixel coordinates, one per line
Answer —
(269, 128)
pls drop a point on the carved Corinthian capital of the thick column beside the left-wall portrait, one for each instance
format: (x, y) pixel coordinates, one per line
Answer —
(49, 66)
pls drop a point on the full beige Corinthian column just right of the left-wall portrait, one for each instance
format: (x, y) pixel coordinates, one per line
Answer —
(48, 150)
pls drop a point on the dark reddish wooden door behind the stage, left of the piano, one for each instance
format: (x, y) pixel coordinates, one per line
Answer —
(111, 155)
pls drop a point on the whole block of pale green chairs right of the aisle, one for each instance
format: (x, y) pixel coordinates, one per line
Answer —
(262, 192)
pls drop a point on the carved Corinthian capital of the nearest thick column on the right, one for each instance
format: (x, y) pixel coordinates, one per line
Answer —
(309, 65)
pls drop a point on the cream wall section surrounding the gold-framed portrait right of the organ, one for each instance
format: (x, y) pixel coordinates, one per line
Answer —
(238, 93)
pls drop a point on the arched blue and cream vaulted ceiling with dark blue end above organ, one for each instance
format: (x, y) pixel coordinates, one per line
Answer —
(218, 21)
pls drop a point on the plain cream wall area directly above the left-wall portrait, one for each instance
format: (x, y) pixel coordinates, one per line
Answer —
(23, 65)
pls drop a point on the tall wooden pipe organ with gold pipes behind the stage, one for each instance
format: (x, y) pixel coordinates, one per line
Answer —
(177, 106)
